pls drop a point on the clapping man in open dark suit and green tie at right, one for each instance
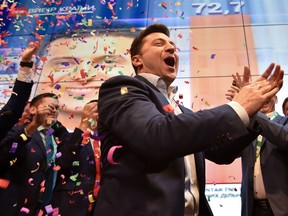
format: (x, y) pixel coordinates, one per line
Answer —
(264, 189)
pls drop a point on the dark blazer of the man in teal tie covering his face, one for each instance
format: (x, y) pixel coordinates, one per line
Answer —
(28, 166)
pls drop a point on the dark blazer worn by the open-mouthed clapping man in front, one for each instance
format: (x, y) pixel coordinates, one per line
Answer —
(148, 177)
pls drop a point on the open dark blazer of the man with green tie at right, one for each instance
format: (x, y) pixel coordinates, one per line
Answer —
(274, 166)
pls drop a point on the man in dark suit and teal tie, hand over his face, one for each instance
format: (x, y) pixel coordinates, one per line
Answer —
(24, 150)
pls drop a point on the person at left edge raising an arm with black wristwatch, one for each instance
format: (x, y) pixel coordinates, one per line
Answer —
(10, 114)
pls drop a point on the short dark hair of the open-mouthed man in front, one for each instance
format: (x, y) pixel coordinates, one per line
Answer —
(138, 41)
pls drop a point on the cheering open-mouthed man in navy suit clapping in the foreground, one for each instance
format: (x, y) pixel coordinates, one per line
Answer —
(152, 148)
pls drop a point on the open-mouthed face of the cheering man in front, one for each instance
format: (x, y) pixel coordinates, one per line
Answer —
(158, 56)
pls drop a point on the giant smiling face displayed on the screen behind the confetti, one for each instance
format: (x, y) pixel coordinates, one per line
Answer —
(76, 67)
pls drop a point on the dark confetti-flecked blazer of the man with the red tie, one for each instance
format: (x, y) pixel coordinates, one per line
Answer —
(76, 177)
